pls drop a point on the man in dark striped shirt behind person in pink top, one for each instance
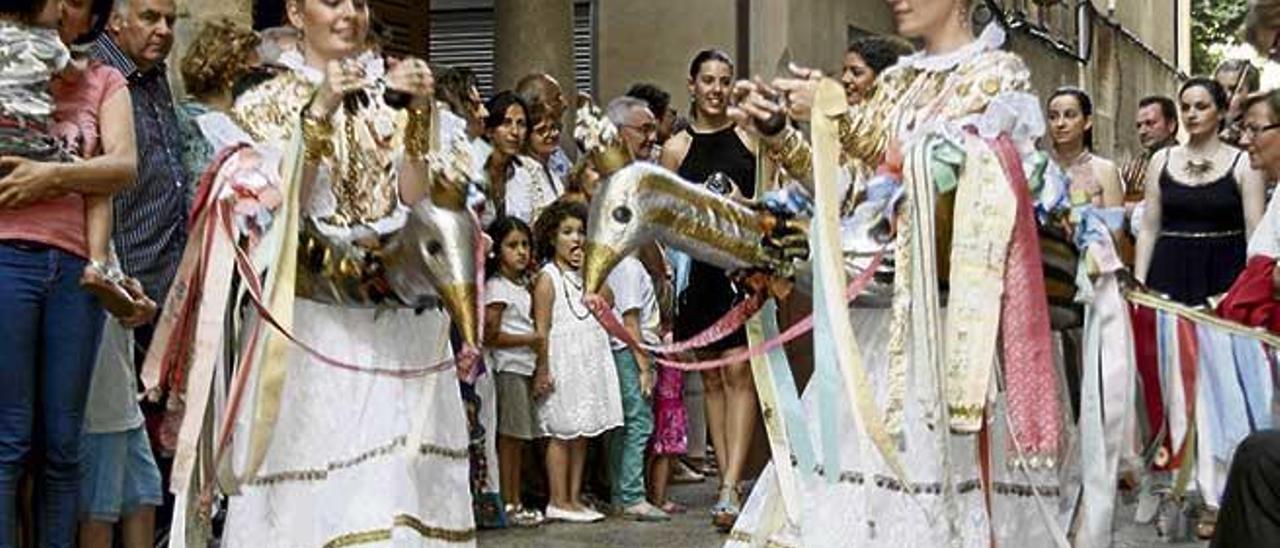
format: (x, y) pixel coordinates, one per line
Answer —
(150, 229)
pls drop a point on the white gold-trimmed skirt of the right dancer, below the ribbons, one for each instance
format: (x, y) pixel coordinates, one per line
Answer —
(863, 504)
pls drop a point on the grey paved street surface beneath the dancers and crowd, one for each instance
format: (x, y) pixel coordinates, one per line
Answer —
(694, 531)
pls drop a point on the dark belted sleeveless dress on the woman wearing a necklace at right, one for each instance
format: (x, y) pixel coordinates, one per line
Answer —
(1201, 246)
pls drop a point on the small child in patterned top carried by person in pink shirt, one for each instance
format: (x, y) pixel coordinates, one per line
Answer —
(31, 58)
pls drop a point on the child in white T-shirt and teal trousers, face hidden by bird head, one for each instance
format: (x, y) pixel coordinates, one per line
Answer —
(636, 302)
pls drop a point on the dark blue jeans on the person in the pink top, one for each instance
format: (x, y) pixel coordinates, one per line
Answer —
(49, 336)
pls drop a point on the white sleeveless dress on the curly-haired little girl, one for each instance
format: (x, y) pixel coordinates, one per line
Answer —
(586, 400)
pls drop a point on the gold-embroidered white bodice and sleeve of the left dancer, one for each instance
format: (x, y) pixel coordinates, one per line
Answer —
(362, 177)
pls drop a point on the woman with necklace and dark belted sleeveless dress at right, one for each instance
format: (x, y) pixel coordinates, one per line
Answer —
(1203, 204)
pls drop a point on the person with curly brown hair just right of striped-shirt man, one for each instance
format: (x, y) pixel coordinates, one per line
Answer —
(218, 61)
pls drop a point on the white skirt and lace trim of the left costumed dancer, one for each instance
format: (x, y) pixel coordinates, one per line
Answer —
(359, 458)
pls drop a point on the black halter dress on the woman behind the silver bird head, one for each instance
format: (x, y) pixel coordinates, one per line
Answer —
(710, 293)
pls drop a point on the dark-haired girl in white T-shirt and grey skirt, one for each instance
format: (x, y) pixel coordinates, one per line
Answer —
(511, 344)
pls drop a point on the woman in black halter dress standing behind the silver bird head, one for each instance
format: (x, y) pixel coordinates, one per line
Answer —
(715, 150)
